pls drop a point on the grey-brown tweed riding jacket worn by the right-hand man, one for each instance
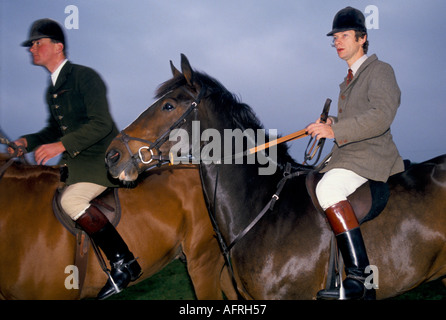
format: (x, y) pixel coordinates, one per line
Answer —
(366, 109)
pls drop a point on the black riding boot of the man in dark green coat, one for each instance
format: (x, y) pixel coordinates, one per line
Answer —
(124, 267)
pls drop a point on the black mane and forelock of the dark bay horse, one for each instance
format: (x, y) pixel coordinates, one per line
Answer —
(241, 114)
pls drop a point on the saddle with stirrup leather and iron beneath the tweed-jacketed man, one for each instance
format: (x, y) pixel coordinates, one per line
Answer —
(368, 201)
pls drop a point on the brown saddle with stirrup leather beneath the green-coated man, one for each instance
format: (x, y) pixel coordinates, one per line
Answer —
(108, 203)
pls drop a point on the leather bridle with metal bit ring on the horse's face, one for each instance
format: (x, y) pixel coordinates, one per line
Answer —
(156, 145)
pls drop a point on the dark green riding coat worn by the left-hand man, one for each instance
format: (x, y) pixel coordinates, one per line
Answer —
(79, 117)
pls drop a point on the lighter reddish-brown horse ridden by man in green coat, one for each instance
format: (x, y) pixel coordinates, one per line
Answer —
(162, 218)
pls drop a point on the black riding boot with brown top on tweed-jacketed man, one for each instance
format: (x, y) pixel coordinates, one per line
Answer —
(345, 226)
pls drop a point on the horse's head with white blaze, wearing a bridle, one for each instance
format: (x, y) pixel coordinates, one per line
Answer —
(145, 142)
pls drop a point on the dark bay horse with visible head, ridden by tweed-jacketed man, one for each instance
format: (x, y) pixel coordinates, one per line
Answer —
(285, 254)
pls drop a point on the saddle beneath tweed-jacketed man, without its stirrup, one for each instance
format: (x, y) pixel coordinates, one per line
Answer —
(368, 201)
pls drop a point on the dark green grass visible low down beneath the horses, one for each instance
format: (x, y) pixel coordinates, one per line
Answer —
(173, 283)
